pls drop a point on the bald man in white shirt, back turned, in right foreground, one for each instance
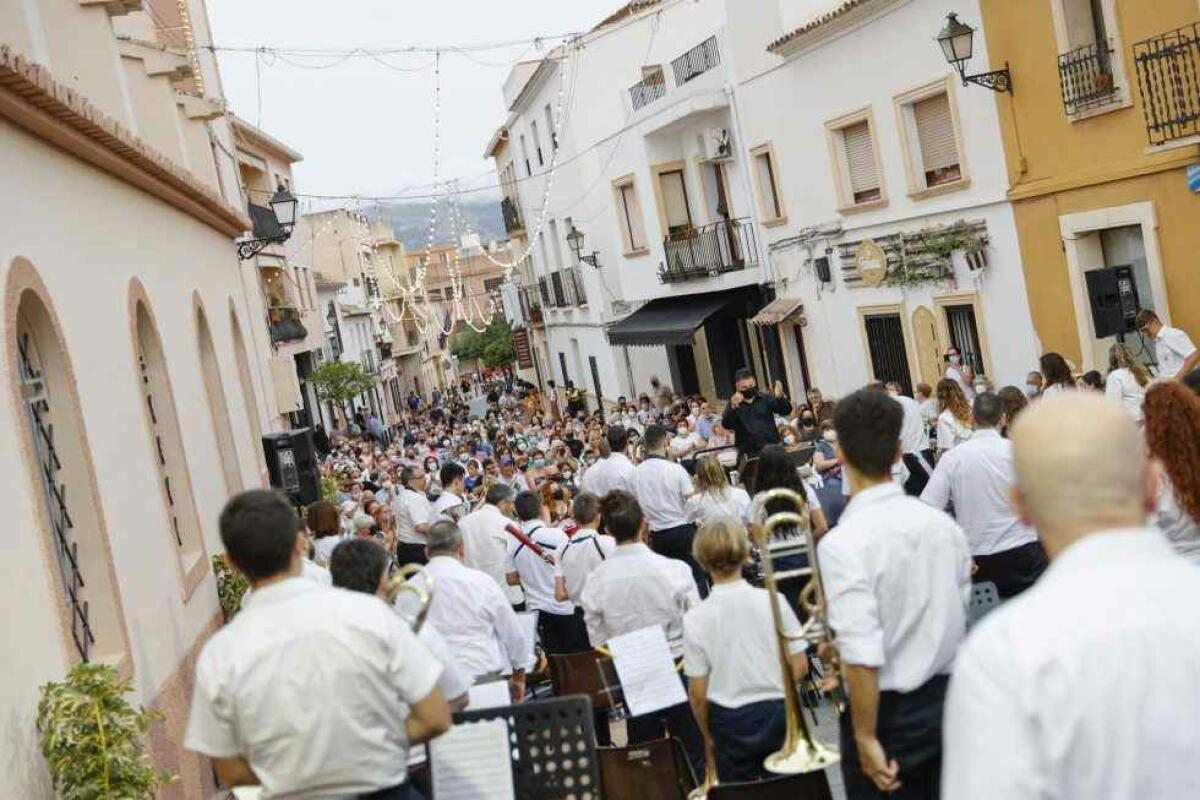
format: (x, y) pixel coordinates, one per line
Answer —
(1088, 685)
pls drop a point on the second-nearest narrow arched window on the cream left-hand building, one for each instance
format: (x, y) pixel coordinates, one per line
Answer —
(167, 447)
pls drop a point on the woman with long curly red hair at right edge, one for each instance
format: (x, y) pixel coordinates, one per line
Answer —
(1173, 437)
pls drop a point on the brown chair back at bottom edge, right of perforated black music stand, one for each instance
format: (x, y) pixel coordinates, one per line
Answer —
(653, 771)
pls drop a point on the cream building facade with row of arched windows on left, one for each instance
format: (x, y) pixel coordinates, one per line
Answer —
(123, 297)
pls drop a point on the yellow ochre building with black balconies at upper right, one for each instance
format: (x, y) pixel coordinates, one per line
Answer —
(1099, 134)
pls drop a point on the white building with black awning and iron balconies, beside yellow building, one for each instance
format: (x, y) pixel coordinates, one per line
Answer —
(713, 153)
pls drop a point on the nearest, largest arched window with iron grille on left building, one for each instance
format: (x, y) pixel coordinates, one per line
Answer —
(63, 477)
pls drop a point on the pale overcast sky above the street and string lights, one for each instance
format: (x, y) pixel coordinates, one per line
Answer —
(363, 128)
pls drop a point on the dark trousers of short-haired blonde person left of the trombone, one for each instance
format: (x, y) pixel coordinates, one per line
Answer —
(745, 737)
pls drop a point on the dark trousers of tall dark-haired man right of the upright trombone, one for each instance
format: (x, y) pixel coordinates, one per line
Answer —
(910, 729)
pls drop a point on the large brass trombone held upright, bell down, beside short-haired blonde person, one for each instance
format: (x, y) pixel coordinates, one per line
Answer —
(801, 751)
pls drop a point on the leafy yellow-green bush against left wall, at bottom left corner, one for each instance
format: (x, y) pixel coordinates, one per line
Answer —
(94, 742)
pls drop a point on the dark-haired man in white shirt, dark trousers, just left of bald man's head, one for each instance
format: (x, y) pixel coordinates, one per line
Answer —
(977, 479)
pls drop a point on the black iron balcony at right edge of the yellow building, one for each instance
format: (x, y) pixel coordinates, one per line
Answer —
(1169, 81)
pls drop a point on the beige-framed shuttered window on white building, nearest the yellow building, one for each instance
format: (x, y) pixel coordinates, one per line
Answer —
(931, 139)
